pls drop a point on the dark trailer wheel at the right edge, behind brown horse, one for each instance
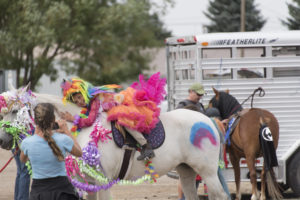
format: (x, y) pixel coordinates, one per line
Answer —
(293, 174)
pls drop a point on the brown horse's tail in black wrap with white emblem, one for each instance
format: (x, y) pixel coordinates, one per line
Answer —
(270, 158)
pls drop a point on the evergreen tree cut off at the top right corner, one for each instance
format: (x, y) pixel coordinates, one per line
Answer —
(293, 22)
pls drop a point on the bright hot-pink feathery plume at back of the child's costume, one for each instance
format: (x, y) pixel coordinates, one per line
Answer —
(153, 89)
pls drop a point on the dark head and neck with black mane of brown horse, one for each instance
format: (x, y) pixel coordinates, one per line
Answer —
(227, 104)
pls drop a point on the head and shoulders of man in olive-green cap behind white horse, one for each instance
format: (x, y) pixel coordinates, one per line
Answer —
(196, 91)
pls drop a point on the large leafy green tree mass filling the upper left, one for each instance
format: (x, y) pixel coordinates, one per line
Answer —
(98, 40)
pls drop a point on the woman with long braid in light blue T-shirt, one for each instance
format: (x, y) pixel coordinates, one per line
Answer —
(46, 151)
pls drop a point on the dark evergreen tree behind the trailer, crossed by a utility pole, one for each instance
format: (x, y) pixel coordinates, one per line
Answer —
(225, 16)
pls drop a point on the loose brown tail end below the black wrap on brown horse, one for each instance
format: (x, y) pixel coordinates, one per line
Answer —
(272, 185)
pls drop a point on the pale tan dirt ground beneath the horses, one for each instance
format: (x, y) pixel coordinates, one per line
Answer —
(165, 188)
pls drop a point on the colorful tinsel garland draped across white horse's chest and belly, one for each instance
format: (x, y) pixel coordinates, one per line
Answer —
(89, 164)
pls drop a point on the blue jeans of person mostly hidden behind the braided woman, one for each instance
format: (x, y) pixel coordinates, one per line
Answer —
(22, 183)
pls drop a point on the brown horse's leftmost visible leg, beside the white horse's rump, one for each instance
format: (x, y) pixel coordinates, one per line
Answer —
(235, 161)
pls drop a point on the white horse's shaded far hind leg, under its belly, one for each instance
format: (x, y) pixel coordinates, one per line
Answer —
(188, 181)
